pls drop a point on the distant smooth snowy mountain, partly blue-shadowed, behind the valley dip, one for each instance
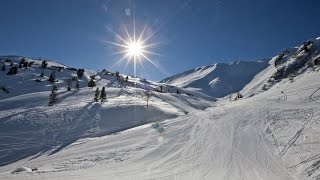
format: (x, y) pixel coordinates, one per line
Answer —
(220, 79)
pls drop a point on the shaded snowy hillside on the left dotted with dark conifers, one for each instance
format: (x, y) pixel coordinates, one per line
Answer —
(29, 126)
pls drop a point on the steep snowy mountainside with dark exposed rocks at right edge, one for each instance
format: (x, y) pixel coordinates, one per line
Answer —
(286, 67)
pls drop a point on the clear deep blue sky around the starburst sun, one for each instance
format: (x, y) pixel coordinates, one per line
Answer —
(188, 33)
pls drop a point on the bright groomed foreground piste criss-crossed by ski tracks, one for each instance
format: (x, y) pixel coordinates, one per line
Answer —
(261, 137)
